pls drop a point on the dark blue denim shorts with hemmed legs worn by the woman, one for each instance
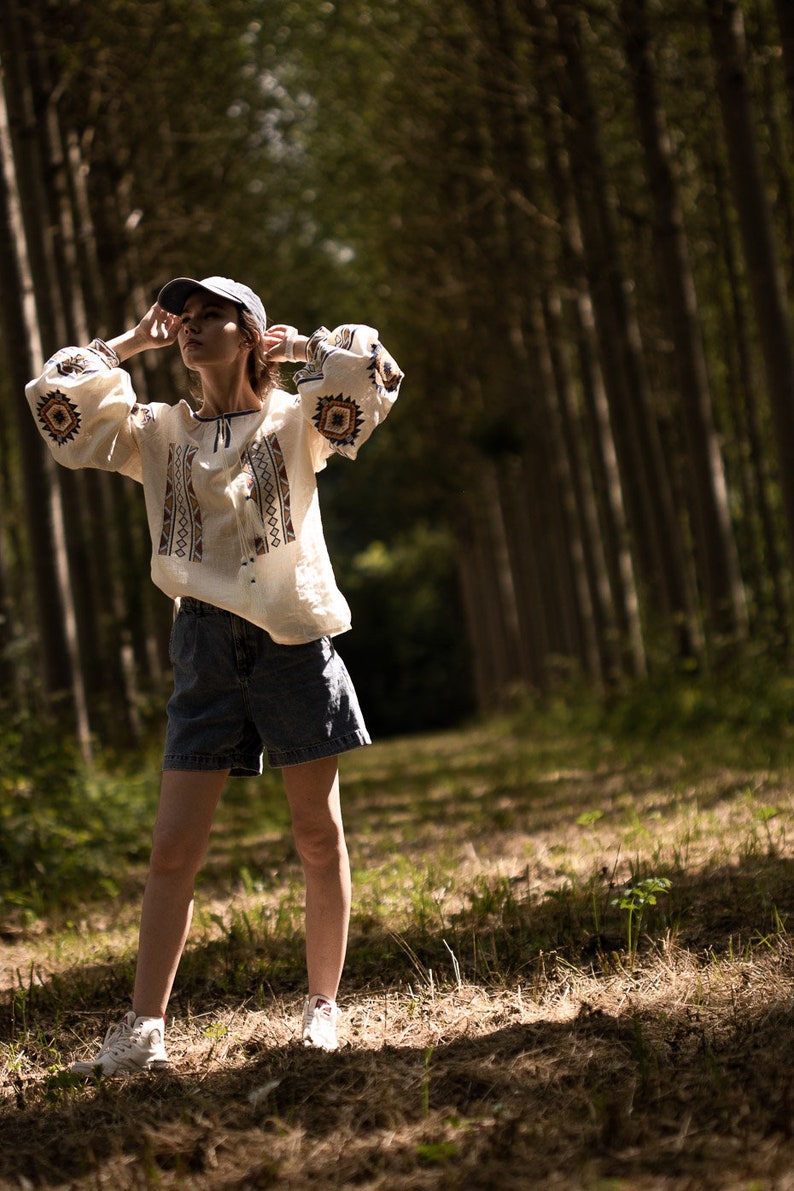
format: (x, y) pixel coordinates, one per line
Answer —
(237, 695)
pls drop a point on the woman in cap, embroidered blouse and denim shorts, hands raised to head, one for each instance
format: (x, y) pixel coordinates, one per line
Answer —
(237, 543)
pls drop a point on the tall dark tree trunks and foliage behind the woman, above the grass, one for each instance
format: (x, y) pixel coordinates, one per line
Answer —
(572, 225)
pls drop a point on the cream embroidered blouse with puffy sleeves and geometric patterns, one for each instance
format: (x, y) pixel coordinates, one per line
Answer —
(232, 502)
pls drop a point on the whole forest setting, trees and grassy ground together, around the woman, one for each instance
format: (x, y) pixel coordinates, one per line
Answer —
(570, 557)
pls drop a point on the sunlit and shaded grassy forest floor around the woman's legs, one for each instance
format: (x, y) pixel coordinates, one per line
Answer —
(570, 968)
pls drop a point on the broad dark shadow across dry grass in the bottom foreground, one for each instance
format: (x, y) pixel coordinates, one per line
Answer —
(641, 1098)
